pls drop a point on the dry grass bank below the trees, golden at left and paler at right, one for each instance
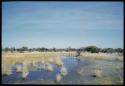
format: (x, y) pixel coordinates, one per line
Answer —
(9, 59)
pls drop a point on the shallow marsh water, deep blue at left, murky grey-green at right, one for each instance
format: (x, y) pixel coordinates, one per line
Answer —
(76, 71)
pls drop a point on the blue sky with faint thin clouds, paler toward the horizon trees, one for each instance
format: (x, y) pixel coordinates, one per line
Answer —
(62, 24)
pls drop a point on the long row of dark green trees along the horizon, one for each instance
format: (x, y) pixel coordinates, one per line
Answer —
(92, 49)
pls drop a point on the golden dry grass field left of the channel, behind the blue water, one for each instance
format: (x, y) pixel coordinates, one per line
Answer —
(33, 58)
